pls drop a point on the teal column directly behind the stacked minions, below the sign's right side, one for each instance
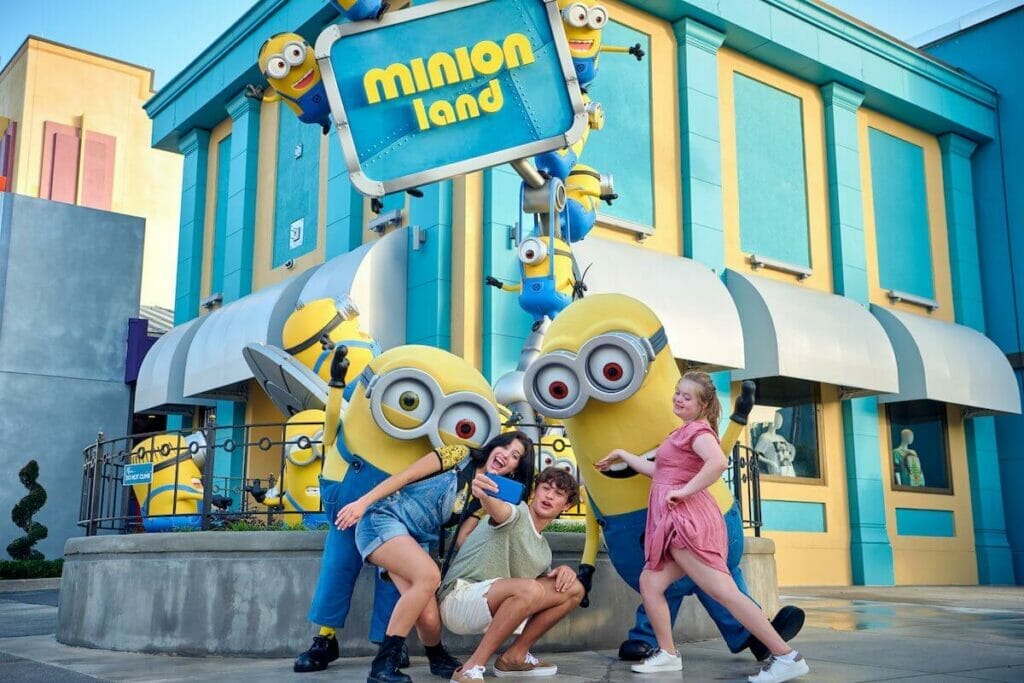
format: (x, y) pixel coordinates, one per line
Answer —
(505, 325)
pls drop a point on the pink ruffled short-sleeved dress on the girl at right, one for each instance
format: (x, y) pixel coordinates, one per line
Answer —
(696, 524)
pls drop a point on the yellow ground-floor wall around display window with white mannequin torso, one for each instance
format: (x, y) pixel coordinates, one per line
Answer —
(804, 559)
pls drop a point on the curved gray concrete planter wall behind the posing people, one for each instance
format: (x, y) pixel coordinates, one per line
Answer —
(247, 593)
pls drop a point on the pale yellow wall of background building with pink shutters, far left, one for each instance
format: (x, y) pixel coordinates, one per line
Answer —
(100, 95)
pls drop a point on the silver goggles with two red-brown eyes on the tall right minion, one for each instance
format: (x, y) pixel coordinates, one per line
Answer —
(609, 368)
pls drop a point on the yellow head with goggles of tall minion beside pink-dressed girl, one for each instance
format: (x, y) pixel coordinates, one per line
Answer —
(607, 371)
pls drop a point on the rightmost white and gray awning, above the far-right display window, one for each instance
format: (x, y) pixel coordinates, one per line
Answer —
(949, 363)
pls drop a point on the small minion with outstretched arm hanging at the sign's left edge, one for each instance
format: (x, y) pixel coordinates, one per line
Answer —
(290, 67)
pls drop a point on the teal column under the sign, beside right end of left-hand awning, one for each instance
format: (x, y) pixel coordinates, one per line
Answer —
(429, 305)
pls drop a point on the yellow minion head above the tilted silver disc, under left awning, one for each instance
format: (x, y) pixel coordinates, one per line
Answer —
(335, 322)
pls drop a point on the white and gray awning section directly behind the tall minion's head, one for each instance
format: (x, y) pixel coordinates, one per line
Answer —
(699, 316)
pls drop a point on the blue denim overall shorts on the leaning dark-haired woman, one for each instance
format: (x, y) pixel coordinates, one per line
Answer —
(417, 509)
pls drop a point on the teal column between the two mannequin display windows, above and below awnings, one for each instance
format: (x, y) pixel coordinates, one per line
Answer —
(871, 551)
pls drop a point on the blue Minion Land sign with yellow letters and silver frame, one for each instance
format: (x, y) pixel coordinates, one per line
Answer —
(449, 88)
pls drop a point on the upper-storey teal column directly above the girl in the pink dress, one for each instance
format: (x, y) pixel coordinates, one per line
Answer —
(704, 236)
